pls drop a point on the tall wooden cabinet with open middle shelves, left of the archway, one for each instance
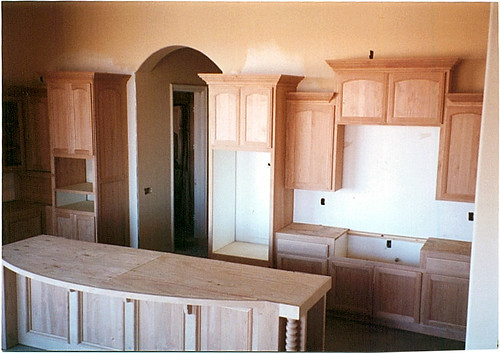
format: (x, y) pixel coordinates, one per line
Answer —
(89, 156)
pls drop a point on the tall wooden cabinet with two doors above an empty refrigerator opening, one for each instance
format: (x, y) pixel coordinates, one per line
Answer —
(248, 113)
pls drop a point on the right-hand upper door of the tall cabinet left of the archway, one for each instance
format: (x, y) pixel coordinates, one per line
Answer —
(81, 98)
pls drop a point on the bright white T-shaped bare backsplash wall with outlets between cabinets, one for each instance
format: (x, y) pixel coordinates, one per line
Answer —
(389, 186)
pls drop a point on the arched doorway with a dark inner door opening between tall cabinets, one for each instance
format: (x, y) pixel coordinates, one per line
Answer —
(169, 97)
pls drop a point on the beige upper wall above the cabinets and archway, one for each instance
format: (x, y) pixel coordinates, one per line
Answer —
(292, 38)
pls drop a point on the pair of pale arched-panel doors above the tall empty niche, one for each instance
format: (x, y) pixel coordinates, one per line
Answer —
(240, 113)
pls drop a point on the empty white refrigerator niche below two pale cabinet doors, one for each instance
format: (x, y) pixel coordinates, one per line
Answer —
(241, 203)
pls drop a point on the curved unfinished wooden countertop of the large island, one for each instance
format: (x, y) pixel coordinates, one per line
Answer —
(142, 273)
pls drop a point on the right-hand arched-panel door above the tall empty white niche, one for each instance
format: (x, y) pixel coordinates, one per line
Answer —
(256, 117)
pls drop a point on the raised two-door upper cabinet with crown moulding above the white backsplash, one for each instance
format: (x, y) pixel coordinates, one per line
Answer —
(392, 91)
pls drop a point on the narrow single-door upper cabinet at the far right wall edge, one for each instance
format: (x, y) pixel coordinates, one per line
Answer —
(459, 147)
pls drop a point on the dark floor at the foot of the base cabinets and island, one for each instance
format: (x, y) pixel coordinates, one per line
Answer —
(343, 335)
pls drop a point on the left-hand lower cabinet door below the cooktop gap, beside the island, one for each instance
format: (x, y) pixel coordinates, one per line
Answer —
(352, 287)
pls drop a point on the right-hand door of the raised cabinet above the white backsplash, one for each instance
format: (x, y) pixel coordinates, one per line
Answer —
(416, 98)
